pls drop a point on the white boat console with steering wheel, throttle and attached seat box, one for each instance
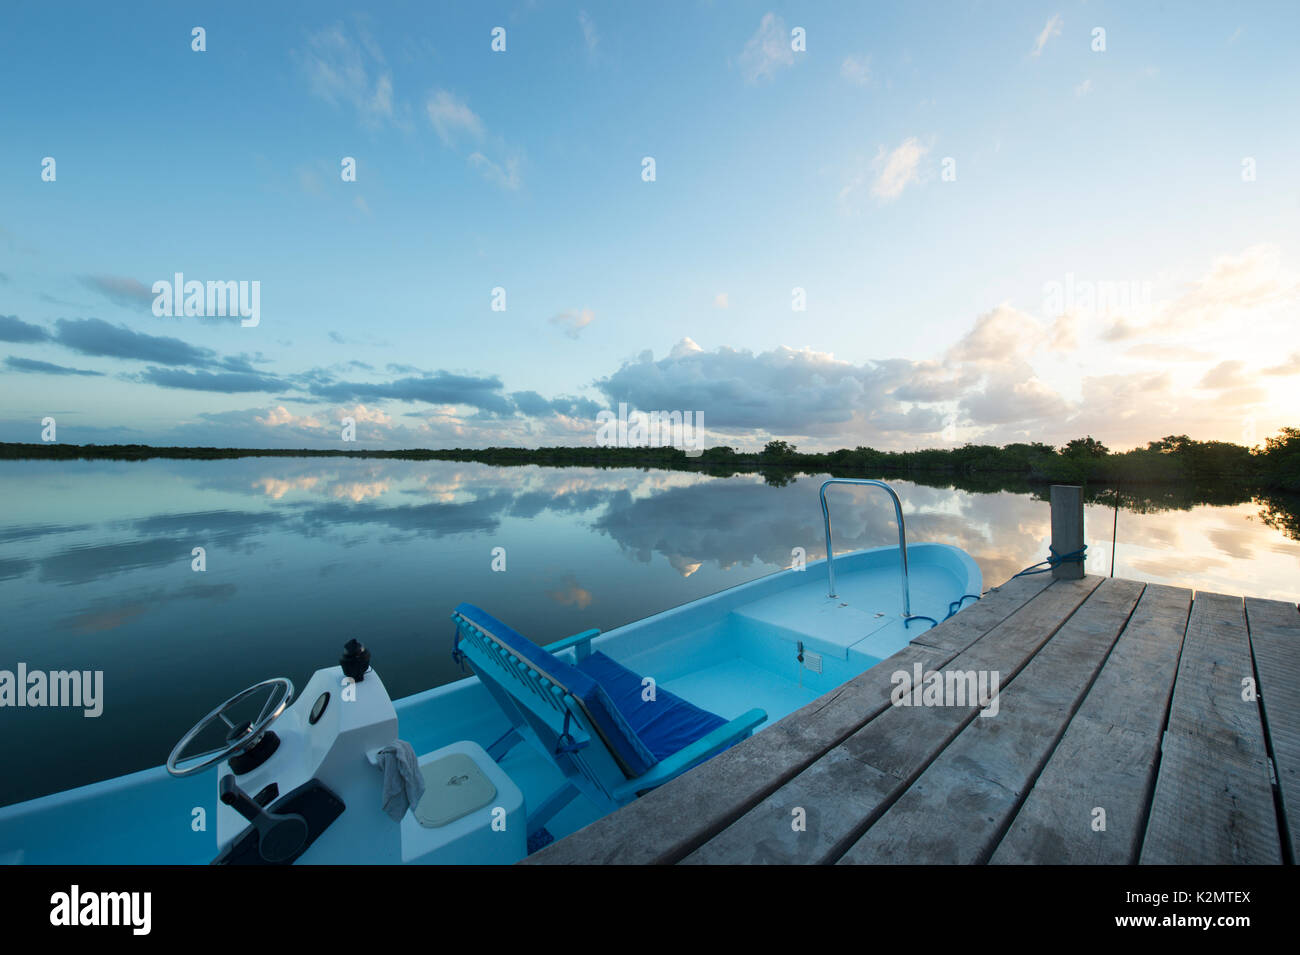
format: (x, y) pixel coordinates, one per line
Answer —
(305, 782)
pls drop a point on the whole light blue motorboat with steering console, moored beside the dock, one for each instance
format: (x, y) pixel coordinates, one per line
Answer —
(532, 745)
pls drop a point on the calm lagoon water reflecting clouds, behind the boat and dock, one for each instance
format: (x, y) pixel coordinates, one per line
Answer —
(96, 571)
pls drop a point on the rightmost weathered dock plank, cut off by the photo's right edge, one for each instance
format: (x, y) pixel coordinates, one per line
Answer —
(1276, 643)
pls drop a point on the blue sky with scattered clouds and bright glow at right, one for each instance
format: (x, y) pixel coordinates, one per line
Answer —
(895, 225)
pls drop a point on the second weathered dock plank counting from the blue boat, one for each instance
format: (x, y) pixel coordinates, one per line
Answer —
(848, 789)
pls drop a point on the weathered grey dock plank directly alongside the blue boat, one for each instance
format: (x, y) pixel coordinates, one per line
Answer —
(668, 824)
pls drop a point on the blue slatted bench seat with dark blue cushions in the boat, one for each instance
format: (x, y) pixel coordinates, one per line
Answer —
(588, 717)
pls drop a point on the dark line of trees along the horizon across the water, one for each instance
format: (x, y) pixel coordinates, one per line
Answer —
(1173, 459)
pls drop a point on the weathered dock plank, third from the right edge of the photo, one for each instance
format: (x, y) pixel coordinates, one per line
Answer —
(1107, 758)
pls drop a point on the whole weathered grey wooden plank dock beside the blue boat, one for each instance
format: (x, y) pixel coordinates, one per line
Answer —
(1136, 724)
